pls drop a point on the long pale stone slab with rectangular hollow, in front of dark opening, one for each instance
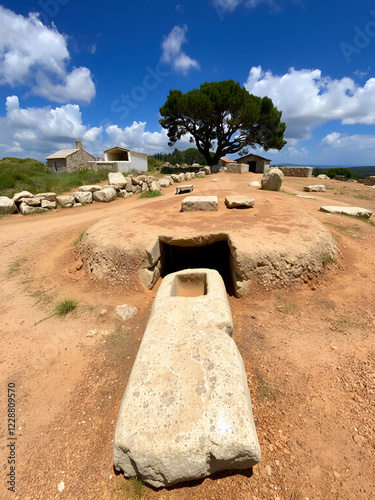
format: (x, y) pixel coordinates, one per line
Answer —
(186, 412)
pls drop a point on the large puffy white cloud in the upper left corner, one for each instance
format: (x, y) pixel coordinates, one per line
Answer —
(35, 55)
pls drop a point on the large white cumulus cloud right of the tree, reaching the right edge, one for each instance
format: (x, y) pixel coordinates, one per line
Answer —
(308, 99)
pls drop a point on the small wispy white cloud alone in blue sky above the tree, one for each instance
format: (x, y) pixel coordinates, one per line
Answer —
(173, 53)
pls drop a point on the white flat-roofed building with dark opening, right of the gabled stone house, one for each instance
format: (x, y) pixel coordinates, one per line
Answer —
(123, 160)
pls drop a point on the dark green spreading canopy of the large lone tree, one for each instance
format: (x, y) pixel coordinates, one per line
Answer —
(222, 114)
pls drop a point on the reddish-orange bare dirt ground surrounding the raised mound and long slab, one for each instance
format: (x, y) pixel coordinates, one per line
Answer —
(309, 352)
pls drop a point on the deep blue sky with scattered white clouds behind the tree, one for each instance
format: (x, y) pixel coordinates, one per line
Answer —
(100, 71)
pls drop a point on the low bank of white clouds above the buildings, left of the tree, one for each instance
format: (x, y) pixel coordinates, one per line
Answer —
(38, 132)
